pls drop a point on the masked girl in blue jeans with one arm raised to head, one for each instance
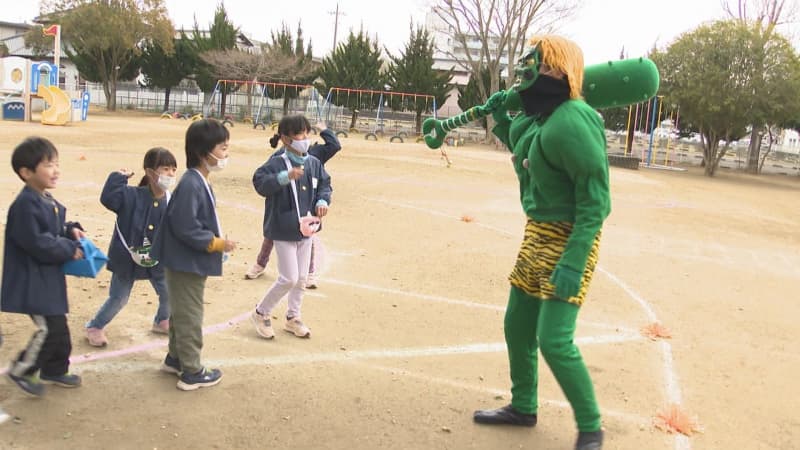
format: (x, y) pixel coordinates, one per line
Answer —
(139, 211)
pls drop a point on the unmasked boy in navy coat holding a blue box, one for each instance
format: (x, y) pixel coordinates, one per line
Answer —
(38, 241)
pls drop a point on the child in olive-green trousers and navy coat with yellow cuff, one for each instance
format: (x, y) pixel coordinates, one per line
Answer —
(190, 247)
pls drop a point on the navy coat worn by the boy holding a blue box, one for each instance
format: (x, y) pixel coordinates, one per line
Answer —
(36, 246)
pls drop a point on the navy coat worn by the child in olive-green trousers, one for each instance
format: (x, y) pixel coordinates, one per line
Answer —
(188, 226)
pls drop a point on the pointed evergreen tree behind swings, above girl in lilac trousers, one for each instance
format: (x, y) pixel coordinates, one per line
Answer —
(354, 64)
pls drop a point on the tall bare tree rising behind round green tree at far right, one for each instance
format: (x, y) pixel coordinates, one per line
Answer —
(765, 16)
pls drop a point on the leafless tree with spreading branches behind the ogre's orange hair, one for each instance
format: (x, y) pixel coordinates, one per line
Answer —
(491, 34)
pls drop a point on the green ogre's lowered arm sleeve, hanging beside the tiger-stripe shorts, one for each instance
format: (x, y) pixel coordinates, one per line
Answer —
(578, 146)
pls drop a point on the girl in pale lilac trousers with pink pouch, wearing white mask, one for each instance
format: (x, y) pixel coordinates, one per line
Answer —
(295, 185)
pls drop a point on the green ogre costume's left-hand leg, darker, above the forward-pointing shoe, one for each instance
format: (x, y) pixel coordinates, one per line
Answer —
(520, 329)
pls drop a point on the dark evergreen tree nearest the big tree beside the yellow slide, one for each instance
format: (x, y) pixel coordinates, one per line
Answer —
(163, 69)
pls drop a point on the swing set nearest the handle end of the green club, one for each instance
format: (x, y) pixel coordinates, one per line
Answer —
(404, 118)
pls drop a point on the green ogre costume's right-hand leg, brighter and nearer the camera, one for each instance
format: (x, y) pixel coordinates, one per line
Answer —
(556, 332)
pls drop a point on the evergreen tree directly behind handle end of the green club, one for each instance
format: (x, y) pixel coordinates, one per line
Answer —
(413, 72)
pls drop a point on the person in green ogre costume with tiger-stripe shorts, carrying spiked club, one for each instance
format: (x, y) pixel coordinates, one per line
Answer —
(559, 156)
